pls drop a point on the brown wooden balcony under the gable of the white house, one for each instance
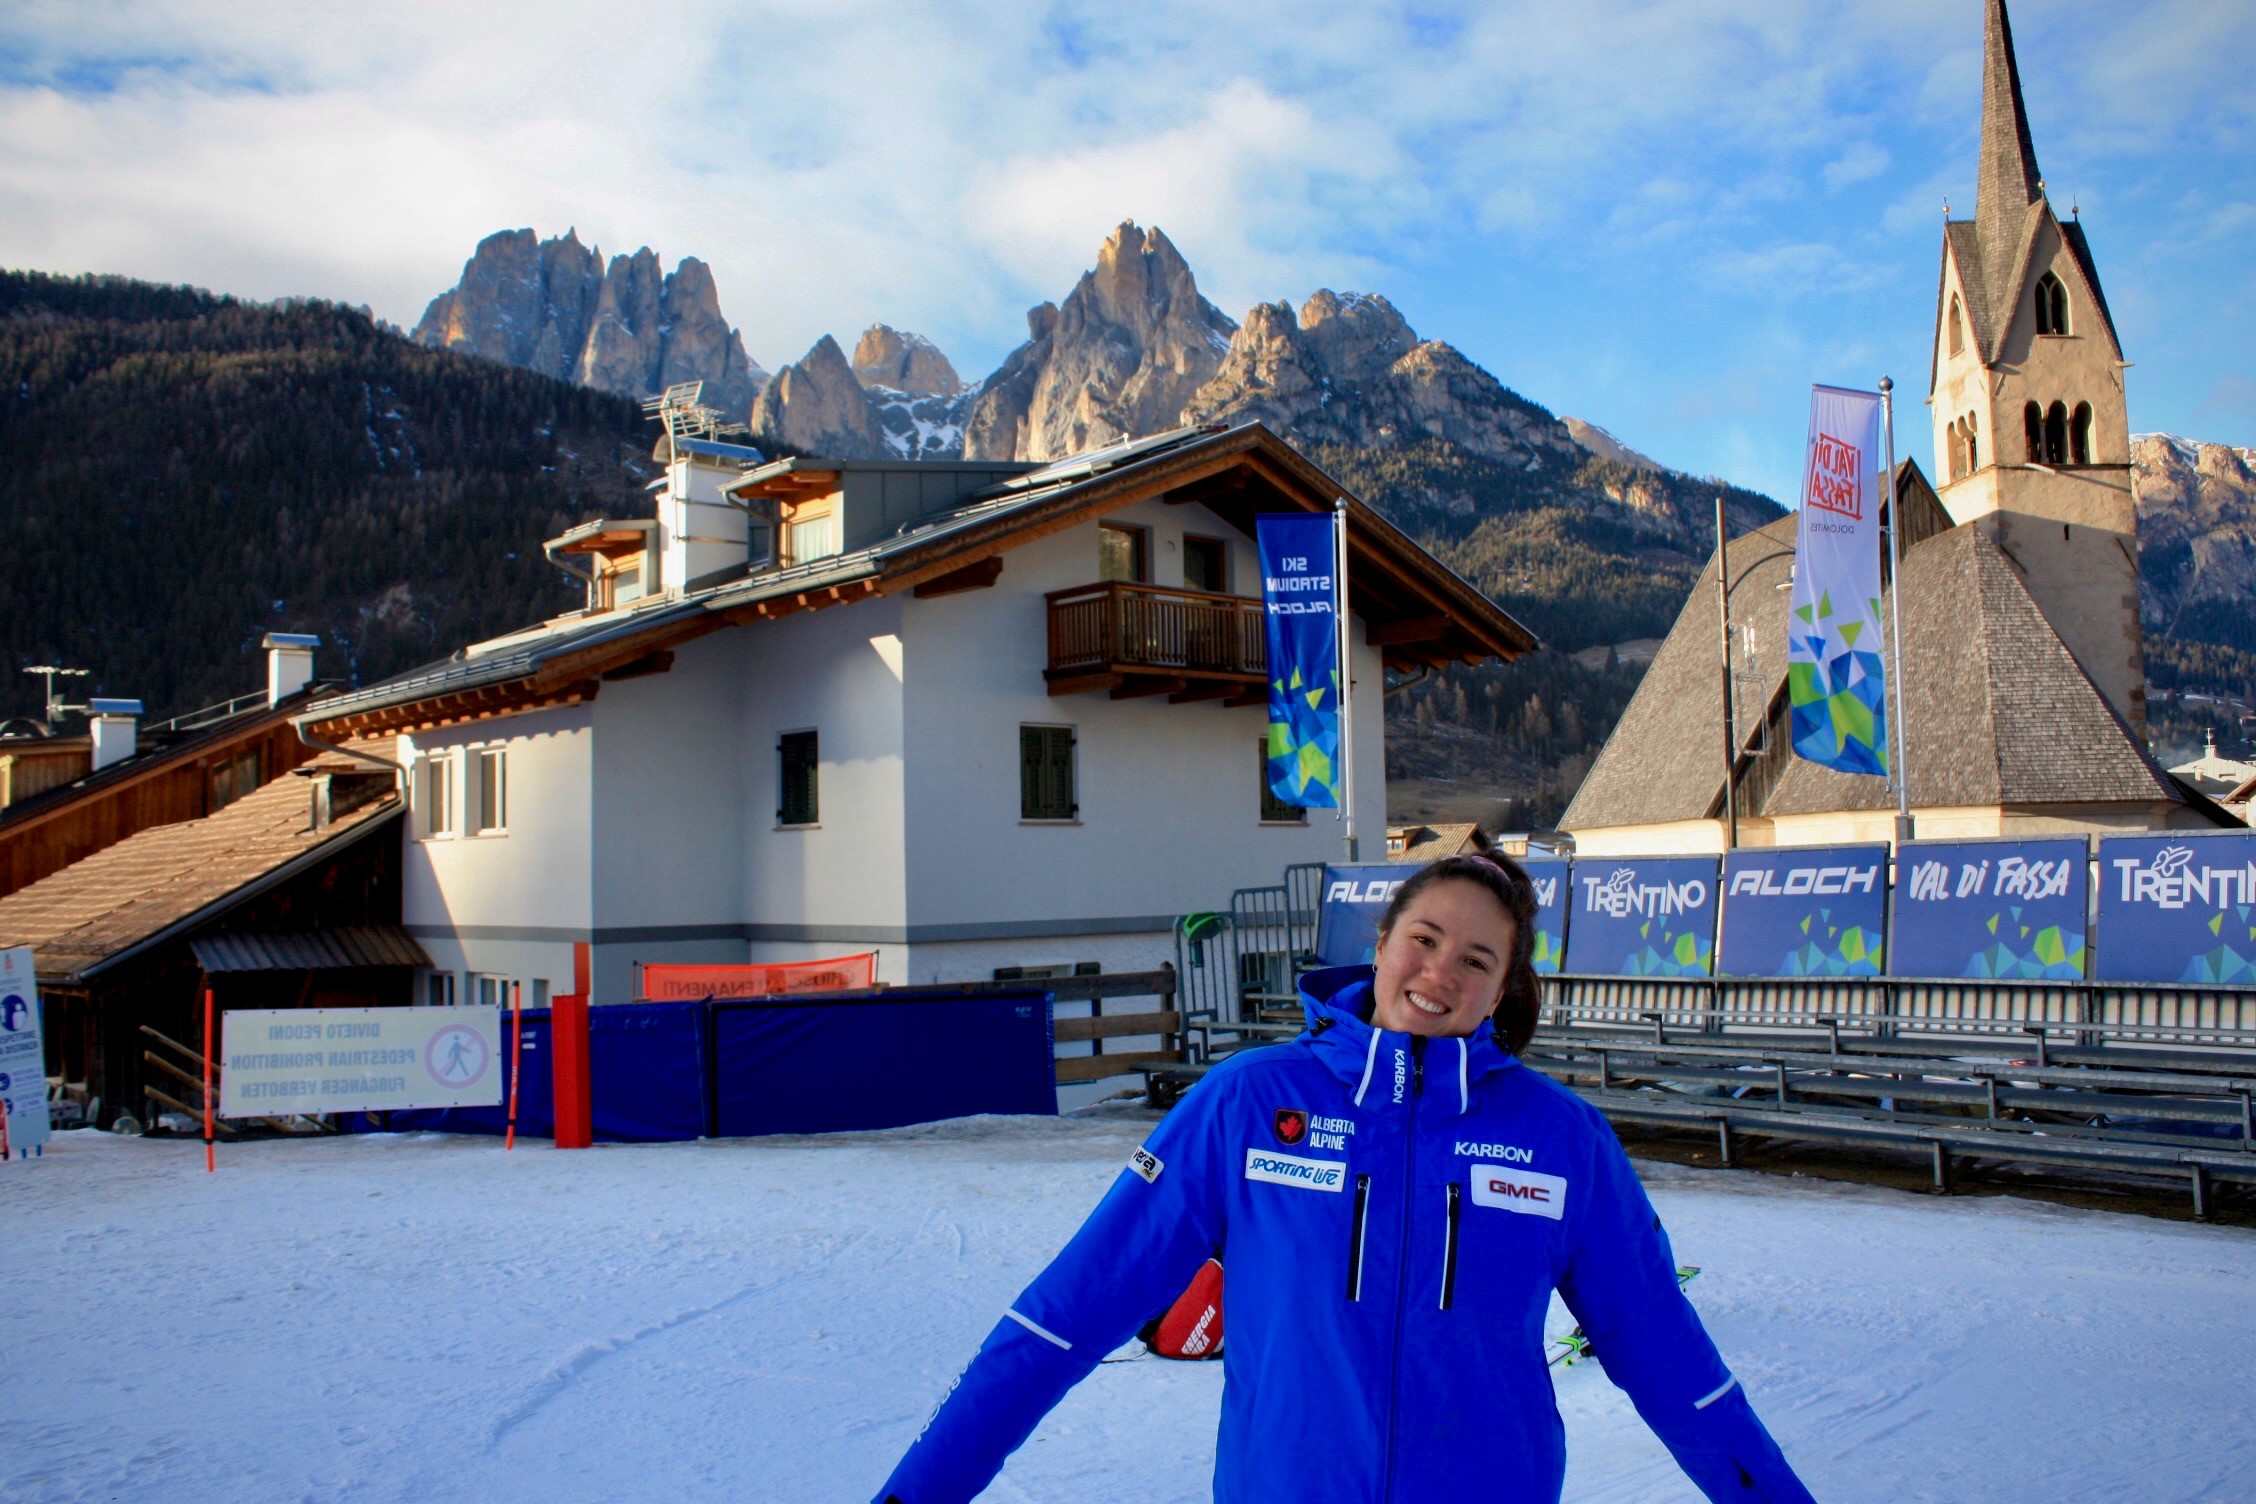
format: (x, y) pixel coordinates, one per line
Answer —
(1140, 639)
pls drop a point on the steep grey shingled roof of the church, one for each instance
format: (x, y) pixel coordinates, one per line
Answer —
(2000, 714)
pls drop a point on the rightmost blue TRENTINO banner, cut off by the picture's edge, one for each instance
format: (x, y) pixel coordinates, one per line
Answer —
(2178, 910)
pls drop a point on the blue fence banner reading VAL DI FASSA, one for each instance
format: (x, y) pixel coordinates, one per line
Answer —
(1991, 910)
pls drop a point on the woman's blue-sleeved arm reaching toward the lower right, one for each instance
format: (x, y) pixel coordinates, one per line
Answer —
(1621, 1284)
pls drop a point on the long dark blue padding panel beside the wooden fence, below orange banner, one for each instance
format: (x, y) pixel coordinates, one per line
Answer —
(816, 1068)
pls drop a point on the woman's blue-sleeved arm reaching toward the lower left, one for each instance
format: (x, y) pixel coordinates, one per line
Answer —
(1136, 1255)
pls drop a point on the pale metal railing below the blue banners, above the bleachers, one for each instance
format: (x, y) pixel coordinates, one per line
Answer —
(1887, 1007)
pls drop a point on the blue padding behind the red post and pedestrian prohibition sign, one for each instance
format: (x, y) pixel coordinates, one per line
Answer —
(646, 1079)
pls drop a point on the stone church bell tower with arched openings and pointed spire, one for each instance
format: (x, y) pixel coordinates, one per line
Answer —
(2027, 393)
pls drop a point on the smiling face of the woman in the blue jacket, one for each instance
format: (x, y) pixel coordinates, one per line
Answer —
(1443, 966)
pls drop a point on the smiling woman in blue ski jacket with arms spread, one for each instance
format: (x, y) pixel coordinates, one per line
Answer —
(1395, 1201)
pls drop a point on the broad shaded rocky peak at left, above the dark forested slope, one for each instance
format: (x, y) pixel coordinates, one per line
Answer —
(626, 328)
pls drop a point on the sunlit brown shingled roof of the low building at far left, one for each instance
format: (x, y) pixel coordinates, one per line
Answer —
(159, 883)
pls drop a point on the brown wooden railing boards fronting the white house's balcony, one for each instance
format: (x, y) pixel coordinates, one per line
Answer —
(1143, 626)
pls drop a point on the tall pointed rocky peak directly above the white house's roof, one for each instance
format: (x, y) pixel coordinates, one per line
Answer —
(1118, 360)
